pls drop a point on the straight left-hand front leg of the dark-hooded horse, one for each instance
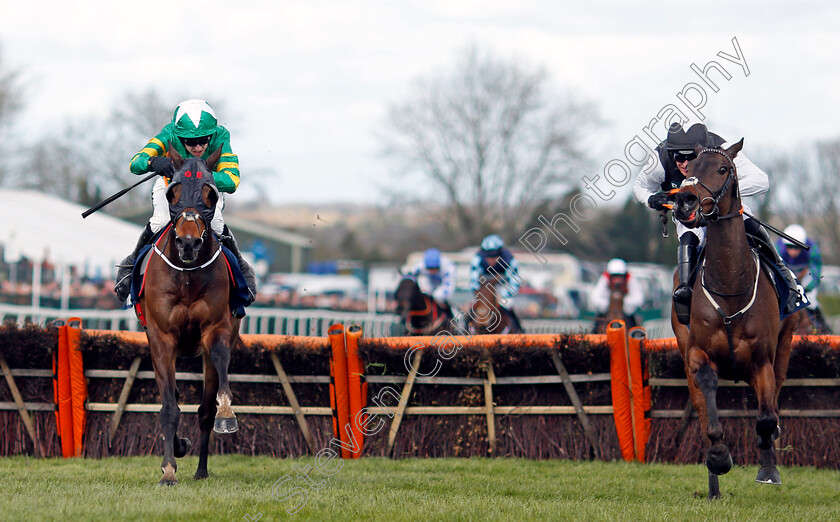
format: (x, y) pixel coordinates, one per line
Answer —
(164, 364)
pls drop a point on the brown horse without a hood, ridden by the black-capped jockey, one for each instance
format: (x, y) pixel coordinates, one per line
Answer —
(735, 331)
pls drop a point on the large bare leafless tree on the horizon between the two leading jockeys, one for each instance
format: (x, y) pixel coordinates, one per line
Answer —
(490, 141)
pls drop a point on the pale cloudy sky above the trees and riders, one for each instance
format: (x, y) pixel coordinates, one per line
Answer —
(306, 84)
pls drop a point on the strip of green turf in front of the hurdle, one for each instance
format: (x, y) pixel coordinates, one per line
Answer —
(412, 489)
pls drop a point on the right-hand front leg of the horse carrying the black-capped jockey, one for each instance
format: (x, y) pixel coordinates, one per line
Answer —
(767, 425)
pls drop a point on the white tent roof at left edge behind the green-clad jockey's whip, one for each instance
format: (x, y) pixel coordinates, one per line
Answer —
(44, 227)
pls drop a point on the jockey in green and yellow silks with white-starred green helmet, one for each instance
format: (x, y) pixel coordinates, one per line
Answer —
(193, 132)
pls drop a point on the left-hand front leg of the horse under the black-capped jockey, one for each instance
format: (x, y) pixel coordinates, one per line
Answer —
(705, 380)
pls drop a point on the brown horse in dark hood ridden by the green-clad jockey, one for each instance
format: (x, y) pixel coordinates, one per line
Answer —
(186, 306)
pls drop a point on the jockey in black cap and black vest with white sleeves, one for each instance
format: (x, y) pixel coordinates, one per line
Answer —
(652, 187)
